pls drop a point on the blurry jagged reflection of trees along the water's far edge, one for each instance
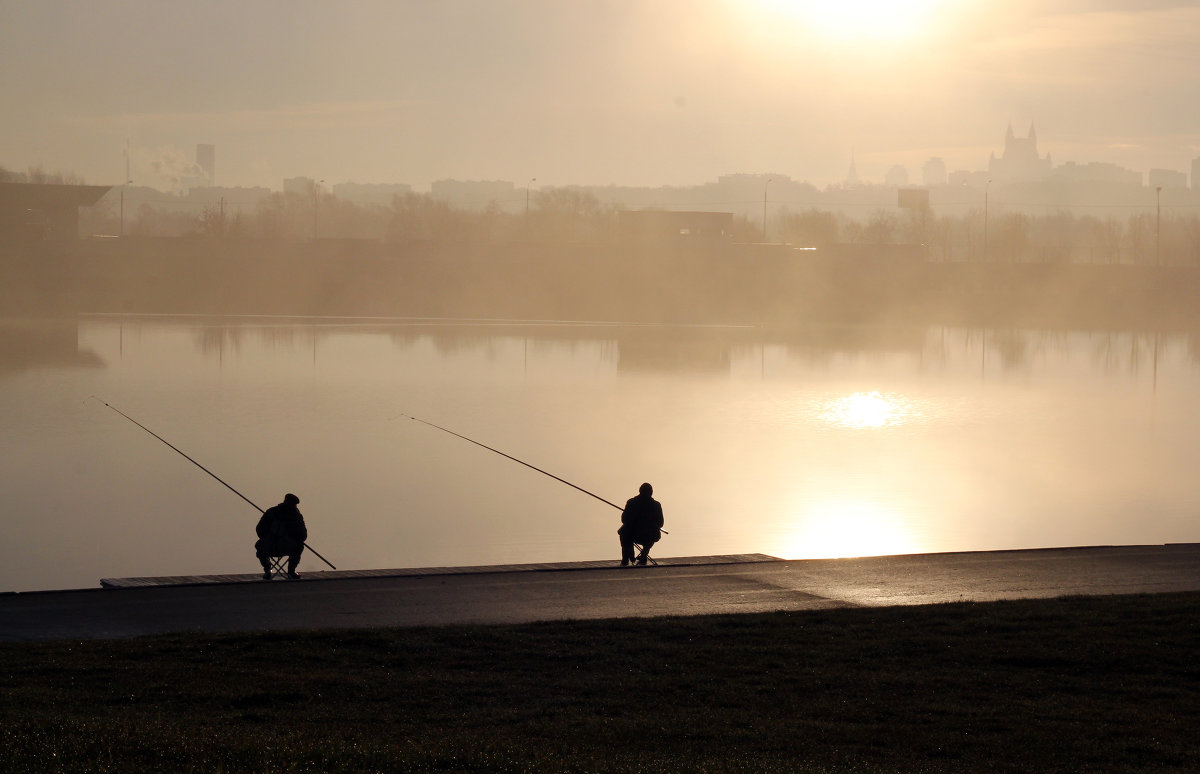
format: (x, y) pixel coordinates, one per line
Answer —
(704, 349)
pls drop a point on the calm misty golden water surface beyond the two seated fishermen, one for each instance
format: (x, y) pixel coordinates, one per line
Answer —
(813, 443)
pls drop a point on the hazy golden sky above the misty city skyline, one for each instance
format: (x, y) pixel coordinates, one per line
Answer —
(590, 92)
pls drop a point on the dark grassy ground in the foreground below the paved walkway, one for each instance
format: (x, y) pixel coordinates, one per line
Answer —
(1070, 685)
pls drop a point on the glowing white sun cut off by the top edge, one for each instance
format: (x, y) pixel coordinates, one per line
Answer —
(845, 21)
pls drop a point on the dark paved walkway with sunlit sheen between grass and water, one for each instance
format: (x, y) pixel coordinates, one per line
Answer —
(679, 587)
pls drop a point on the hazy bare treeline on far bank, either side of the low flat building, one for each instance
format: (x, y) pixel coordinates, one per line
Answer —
(575, 215)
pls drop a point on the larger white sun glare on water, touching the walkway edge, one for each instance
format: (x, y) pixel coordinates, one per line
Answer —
(848, 530)
